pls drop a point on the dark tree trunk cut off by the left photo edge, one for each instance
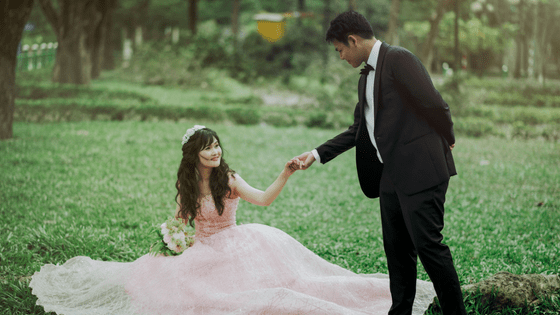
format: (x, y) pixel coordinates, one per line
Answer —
(13, 17)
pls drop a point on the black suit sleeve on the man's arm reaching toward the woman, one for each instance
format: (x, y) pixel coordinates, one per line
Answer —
(342, 142)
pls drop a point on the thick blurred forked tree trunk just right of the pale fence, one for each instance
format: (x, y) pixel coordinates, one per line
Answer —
(74, 26)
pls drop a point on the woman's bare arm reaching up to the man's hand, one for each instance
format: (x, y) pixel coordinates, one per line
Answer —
(265, 198)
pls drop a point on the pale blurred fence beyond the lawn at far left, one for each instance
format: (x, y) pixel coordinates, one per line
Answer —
(36, 56)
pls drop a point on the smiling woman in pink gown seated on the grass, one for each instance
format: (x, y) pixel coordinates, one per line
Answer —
(230, 269)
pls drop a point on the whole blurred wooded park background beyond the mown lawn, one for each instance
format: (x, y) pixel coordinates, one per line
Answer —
(496, 62)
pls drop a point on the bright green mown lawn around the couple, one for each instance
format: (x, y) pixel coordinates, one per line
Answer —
(97, 188)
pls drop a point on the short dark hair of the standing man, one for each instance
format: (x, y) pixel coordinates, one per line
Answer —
(349, 23)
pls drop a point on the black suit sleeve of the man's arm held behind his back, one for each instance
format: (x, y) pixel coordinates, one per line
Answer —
(413, 77)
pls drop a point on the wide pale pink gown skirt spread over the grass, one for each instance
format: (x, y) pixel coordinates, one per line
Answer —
(247, 269)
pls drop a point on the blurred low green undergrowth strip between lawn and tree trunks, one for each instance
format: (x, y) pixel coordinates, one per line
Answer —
(480, 107)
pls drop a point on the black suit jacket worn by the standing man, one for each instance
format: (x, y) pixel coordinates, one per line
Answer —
(413, 128)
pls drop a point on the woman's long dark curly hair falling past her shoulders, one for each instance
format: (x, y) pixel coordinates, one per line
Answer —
(188, 192)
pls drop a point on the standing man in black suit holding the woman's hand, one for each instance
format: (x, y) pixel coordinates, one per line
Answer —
(403, 136)
